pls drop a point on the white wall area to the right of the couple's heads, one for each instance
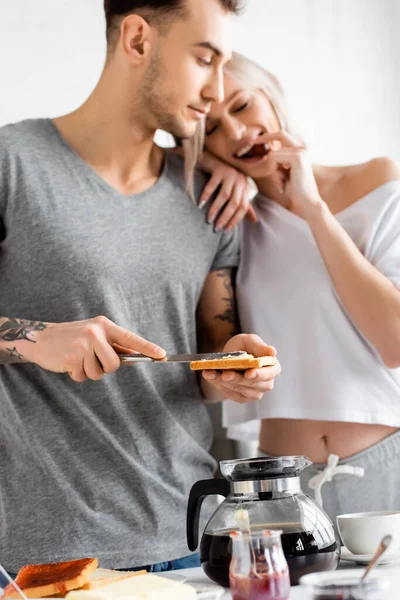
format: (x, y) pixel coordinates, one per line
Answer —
(339, 61)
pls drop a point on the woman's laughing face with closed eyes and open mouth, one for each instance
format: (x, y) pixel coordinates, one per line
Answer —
(233, 126)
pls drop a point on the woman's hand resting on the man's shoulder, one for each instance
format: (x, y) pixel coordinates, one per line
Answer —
(232, 203)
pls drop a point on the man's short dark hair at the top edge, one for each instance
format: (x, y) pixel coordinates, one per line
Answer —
(155, 11)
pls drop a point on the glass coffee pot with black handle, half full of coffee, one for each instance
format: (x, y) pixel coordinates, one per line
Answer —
(269, 489)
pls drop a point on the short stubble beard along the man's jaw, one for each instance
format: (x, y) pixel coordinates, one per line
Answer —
(157, 101)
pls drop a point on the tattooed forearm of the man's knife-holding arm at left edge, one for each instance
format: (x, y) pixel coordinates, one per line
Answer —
(14, 335)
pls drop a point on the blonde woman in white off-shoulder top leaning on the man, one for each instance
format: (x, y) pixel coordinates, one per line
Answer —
(319, 279)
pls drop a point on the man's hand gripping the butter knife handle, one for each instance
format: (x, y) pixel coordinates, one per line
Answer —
(84, 349)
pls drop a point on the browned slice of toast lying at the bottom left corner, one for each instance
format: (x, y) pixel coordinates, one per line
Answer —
(39, 581)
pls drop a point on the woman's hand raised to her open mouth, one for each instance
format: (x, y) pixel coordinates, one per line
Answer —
(291, 169)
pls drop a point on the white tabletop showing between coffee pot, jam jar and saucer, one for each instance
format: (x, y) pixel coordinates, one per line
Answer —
(197, 575)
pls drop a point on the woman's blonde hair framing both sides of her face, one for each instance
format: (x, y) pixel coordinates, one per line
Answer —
(251, 76)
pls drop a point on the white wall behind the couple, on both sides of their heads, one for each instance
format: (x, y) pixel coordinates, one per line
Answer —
(338, 59)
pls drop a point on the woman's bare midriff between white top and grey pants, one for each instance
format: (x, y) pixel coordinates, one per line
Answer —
(319, 439)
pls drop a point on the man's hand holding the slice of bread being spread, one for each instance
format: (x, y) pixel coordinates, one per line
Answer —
(249, 385)
